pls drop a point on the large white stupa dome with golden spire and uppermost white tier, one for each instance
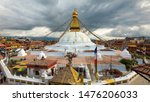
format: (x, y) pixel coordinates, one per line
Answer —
(74, 40)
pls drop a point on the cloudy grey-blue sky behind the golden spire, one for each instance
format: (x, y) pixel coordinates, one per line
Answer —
(110, 17)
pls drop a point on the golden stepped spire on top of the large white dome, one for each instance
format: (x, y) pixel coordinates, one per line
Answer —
(75, 26)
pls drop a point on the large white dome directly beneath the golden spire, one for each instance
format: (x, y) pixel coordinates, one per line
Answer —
(75, 39)
